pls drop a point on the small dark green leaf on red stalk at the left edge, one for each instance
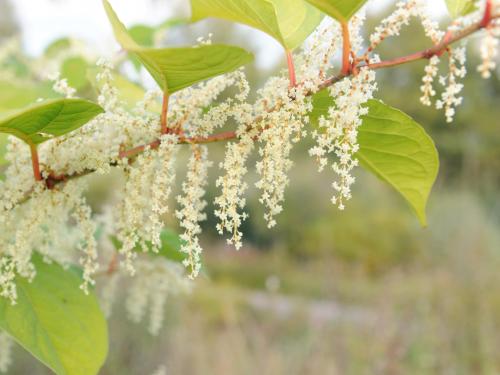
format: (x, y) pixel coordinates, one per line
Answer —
(43, 121)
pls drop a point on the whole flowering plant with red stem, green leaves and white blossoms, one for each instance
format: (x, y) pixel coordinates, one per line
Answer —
(52, 244)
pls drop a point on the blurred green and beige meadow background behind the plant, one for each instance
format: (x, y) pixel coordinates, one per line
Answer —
(365, 291)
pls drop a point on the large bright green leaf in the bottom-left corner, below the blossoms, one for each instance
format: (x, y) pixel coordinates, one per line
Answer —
(56, 322)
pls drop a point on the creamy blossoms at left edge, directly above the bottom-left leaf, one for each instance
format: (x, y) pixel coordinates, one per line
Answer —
(36, 224)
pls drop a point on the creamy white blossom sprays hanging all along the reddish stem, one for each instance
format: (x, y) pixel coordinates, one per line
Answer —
(60, 224)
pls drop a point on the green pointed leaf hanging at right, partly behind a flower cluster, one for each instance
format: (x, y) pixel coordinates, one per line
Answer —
(395, 148)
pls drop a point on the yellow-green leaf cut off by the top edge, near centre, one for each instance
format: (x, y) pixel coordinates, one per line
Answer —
(290, 22)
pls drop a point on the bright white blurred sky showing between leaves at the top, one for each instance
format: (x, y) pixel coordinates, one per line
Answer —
(42, 21)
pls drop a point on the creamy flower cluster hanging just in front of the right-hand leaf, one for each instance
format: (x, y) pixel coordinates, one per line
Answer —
(338, 132)
